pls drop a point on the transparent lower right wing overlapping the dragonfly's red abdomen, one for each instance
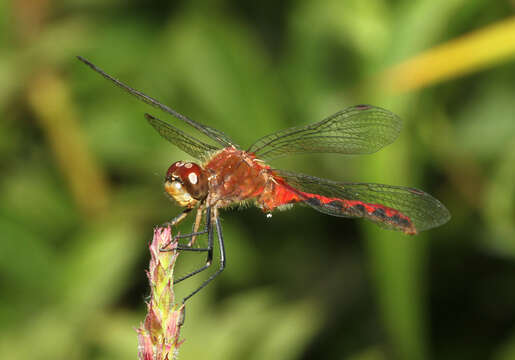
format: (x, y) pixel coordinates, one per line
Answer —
(380, 203)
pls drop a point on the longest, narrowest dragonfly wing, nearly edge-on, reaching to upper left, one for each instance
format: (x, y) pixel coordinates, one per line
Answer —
(216, 135)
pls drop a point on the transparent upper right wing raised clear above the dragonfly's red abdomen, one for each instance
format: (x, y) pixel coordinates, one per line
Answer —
(361, 129)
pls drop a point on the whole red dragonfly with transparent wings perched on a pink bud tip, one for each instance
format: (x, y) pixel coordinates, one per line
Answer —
(229, 175)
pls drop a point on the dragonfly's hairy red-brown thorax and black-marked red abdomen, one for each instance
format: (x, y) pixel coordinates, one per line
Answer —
(236, 176)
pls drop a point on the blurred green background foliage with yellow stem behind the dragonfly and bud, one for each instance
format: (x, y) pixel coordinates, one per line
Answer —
(82, 171)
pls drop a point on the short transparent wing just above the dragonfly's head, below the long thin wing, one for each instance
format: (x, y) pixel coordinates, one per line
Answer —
(186, 143)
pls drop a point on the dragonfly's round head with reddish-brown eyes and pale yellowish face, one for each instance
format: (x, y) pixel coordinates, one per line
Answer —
(186, 183)
